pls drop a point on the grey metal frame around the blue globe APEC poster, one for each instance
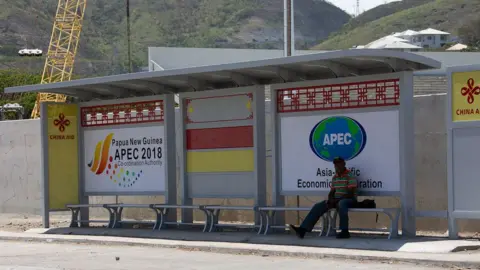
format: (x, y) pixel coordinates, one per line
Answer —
(405, 109)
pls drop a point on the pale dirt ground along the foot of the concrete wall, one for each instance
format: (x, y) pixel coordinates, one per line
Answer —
(24, 222)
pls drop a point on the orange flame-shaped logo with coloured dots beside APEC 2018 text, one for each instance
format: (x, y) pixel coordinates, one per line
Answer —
(103, 163)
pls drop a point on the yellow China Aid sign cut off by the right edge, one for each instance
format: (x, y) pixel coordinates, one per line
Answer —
(466, 96)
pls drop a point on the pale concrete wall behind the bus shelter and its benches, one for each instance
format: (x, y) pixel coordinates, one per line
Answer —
(20, 173)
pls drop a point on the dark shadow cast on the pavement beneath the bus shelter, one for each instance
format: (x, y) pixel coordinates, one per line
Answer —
(358, 241)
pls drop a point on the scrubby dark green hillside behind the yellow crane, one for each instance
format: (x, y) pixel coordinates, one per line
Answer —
(188, 23)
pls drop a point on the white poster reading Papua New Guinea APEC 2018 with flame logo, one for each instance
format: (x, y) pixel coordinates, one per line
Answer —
(126, 160)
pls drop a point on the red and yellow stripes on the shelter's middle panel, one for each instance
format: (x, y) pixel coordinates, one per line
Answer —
(227, 149)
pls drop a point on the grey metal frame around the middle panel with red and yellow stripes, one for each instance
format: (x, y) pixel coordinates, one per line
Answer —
(259, 174)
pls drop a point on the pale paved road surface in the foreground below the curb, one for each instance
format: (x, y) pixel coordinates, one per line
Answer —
(49, 256)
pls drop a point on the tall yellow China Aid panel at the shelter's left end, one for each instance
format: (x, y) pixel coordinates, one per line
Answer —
(63, 178)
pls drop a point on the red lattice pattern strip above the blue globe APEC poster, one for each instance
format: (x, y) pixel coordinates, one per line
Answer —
(339, 96)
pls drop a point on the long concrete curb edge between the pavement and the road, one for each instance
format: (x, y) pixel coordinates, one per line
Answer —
(251, 251)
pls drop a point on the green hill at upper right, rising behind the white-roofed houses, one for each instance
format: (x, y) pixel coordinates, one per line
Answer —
(445, 15)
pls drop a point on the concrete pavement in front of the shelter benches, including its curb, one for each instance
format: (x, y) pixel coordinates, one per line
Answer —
(244, 246)
